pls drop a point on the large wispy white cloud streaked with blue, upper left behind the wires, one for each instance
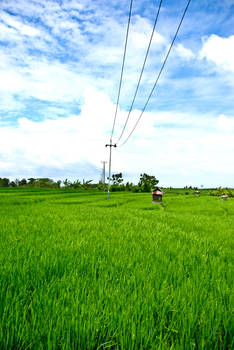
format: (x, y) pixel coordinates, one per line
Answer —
(43, 76)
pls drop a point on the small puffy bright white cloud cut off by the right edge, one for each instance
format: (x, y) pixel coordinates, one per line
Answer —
(219, 50)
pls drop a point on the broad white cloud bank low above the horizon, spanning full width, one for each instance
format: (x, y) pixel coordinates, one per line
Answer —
(164, 143)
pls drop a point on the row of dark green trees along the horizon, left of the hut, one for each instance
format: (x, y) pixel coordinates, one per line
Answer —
(145, 184)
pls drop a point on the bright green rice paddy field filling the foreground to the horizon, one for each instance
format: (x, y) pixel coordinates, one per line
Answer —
(80, 272)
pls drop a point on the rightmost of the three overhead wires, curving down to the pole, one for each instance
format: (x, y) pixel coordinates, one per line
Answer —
(159, 74)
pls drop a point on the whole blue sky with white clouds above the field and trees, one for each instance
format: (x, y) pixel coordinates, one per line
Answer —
(60, 63)
